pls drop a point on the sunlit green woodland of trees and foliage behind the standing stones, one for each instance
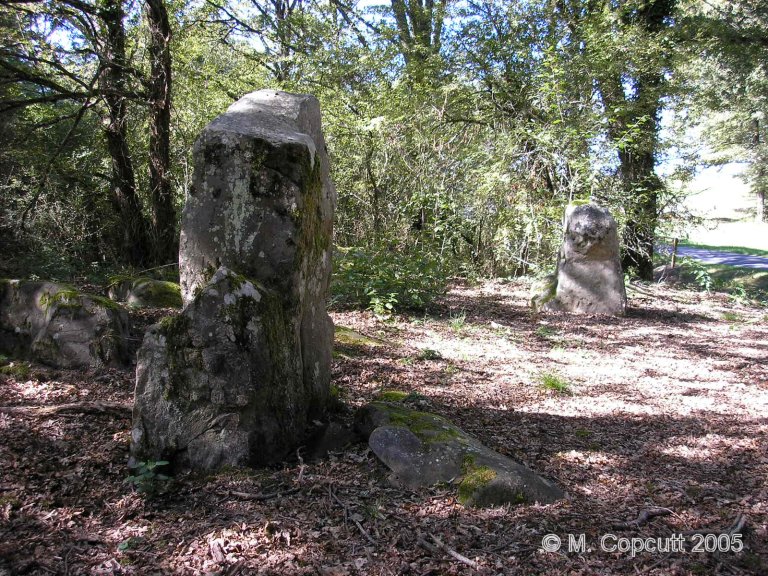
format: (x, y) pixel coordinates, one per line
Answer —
(458, 130)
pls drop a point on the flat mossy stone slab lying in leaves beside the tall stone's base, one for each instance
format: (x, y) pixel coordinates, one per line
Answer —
(423, 449)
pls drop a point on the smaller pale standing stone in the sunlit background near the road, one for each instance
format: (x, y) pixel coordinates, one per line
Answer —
(589, 275)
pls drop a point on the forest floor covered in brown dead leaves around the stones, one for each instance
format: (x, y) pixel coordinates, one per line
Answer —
(664, 411)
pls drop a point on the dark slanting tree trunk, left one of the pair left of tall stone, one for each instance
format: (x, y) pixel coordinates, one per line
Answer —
(133, 243)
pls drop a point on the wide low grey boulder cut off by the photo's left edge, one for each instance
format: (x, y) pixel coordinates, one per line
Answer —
(57, 325)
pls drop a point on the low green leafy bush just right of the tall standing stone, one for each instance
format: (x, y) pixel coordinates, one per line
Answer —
(386, 281)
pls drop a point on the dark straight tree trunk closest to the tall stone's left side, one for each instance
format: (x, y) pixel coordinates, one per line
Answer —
(163, 213)
